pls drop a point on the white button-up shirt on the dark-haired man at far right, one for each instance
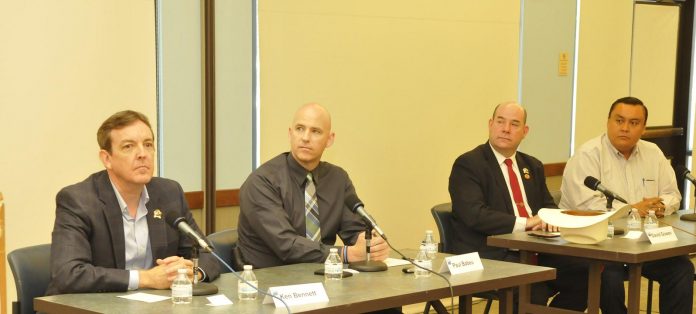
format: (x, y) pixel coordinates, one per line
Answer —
(646, 173)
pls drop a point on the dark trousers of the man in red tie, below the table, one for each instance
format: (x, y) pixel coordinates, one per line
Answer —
(569, 289)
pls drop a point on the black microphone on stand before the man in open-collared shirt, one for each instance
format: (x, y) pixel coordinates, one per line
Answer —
(199, 288)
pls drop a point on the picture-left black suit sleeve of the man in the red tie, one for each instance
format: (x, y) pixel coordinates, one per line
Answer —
(471, 189)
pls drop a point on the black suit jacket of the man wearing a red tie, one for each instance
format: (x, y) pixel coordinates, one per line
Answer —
(481, 204)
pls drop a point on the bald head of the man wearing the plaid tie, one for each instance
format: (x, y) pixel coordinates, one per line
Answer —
(309, 134)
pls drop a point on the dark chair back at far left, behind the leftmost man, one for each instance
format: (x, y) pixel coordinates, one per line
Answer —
(31, 268)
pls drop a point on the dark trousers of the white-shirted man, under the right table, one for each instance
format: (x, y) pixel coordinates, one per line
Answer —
(676, 278)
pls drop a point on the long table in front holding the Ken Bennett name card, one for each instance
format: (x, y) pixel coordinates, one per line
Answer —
(359, 293)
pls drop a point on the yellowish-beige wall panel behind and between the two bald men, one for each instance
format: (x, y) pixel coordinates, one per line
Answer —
(410, 87)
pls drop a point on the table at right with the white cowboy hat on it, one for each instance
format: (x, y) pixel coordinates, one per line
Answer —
(617, 249)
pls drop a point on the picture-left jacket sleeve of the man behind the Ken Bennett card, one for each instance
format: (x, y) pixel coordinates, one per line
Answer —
(72, 270)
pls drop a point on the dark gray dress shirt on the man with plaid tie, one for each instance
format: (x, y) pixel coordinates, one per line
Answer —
(272, 216)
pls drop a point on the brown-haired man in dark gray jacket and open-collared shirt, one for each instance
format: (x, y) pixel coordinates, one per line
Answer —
(110, 232)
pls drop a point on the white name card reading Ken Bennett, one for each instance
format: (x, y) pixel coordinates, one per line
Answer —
(297, 294)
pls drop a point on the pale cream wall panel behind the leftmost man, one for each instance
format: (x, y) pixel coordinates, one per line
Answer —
(64, 67)
